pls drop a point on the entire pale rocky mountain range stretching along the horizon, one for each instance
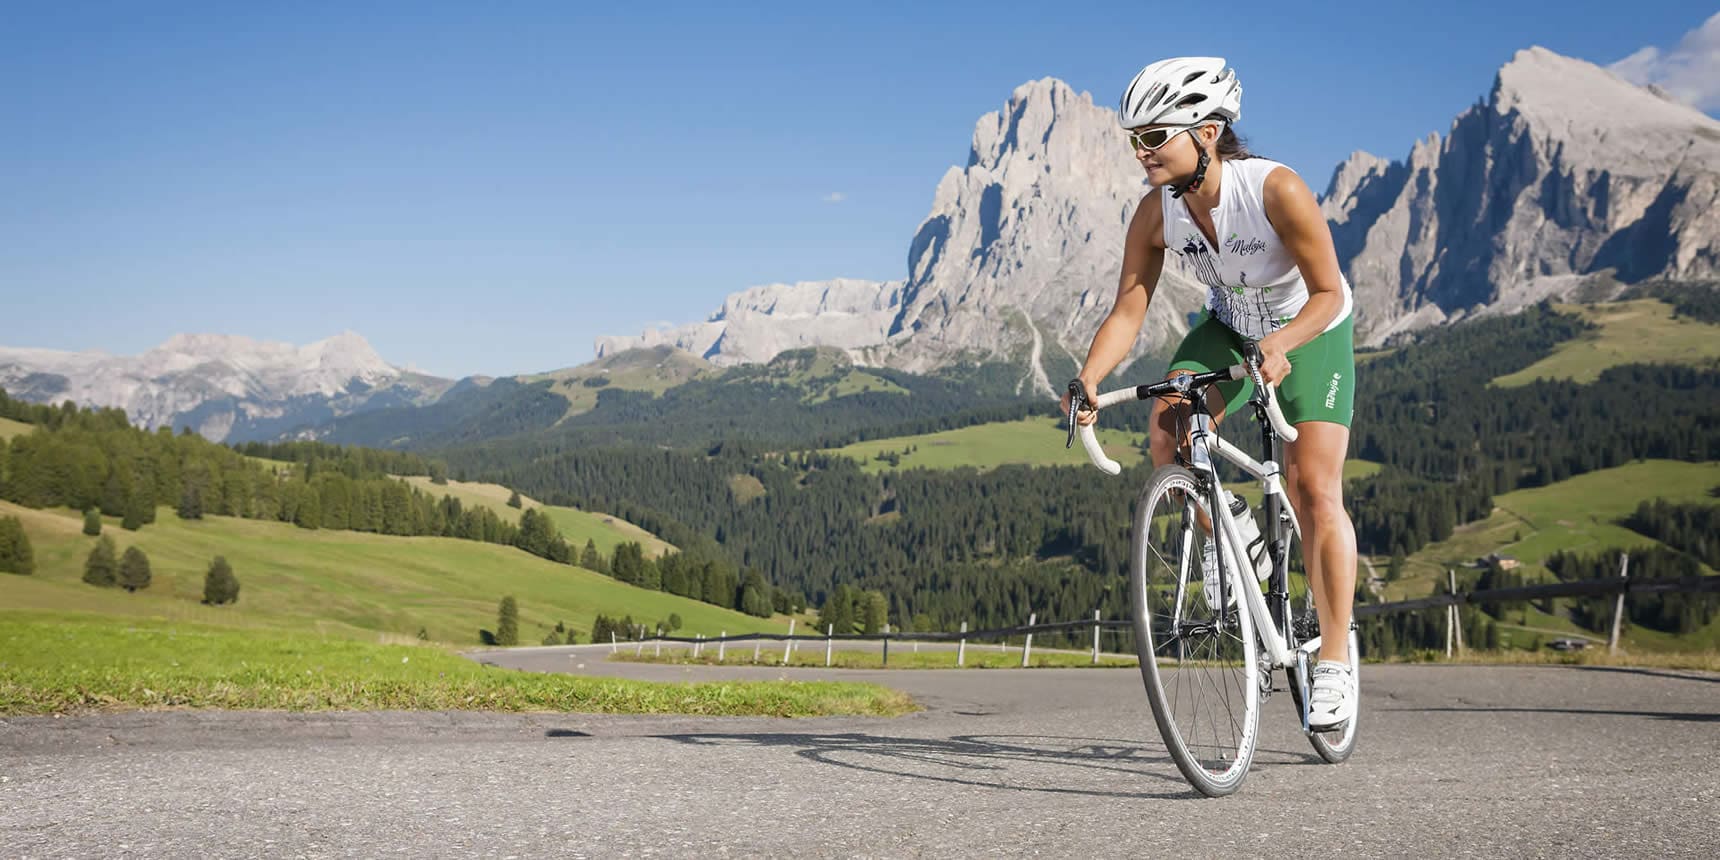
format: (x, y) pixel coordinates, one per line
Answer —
(1564, 181)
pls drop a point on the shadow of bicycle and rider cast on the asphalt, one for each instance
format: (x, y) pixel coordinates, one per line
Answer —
(1016, 763)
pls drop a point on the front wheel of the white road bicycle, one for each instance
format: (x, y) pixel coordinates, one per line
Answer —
(1195, 636)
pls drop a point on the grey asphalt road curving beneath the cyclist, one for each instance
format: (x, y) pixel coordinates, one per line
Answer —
(1038, 763)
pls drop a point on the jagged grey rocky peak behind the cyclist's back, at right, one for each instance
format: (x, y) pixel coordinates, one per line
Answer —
(1568, 181)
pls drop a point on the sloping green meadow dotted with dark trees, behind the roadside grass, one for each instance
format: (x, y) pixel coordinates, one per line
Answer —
(341, 584)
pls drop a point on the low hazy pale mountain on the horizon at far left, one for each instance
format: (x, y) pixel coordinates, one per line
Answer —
(224, 388)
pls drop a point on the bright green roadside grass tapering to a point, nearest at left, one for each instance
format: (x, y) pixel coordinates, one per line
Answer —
(63, 663)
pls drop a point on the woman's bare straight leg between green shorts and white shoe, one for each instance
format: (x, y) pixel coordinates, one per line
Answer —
(1315, 482)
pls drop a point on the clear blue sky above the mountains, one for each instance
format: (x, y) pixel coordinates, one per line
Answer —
(484, 188)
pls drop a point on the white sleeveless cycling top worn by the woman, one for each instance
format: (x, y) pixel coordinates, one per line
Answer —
(1253, 283)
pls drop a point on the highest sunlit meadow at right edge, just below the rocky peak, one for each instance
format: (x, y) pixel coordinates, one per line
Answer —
(1628, 333)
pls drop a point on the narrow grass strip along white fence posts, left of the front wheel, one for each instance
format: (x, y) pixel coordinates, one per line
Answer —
(902, 656)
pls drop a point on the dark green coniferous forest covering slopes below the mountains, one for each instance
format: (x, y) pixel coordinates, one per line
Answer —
(937, 548)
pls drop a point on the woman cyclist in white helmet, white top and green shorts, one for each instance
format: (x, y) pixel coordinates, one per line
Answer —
(1251, 231)
